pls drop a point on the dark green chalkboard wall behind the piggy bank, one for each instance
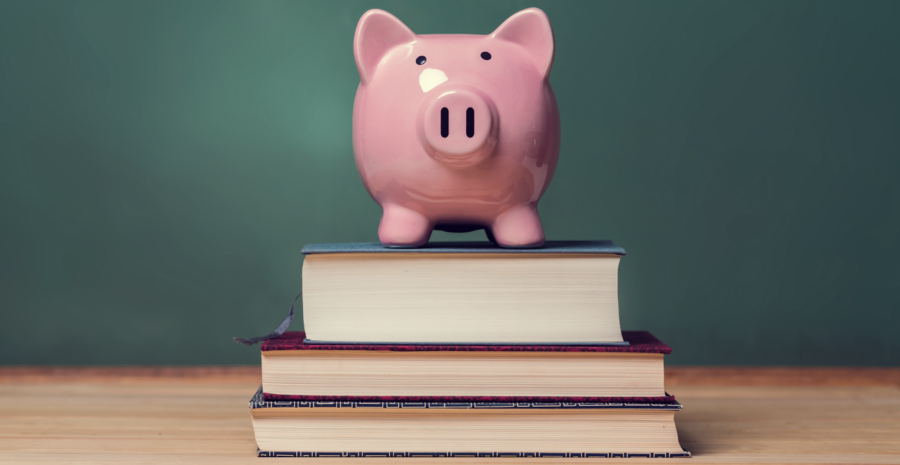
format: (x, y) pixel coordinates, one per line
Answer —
(163, 162)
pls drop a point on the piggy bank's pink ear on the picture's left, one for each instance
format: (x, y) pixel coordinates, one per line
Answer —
(377, 32)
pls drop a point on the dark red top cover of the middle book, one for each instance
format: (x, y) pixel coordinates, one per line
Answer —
(639, 342)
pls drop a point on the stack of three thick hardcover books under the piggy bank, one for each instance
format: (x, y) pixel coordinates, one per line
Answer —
(463, 350)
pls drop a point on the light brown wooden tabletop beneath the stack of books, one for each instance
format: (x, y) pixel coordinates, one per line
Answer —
(200, 415)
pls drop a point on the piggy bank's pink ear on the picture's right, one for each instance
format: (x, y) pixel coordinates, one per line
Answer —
(531, 29)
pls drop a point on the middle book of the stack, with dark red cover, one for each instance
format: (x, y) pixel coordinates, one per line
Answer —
(295, 369)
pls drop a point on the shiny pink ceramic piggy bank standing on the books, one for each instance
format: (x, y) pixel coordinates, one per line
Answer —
(456, 132)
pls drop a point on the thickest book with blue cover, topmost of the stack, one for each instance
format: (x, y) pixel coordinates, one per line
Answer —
(462, 293)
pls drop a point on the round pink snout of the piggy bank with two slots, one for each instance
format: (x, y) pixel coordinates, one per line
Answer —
(460, 127)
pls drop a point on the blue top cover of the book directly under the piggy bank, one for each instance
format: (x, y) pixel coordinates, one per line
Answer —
(550, 247)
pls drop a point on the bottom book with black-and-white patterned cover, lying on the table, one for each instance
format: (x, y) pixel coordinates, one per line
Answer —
(464, 429)
